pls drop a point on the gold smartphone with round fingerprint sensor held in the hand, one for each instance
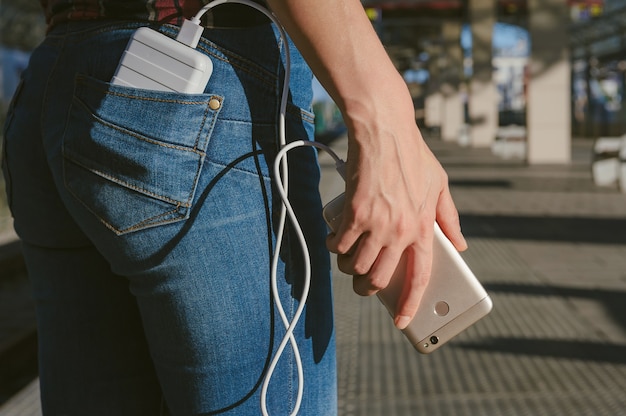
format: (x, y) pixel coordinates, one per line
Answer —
(453, 300)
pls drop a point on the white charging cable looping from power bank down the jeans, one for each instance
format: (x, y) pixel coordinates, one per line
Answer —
(190, 34)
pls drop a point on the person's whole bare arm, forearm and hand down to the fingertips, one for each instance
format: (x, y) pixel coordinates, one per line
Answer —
(395, 187)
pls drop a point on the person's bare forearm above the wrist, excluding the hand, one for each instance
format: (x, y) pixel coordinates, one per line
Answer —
(342, 48)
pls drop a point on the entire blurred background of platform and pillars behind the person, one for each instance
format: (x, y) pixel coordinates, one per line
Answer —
(523, 103)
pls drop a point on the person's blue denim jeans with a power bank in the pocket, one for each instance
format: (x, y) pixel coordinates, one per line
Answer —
(147, 220)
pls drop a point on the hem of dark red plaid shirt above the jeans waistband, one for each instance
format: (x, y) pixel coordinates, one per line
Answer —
(163, 11)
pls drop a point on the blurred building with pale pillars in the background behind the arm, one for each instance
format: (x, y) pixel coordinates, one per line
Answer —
(550, 68)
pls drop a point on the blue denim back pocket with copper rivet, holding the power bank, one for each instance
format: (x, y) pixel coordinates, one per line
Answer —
(133, 157)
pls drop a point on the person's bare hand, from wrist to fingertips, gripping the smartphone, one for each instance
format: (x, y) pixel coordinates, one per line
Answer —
(395, 191)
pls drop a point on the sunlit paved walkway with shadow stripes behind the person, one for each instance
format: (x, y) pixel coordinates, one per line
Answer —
(550, 247)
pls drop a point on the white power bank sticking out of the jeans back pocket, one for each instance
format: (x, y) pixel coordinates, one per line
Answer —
(155, 61)
